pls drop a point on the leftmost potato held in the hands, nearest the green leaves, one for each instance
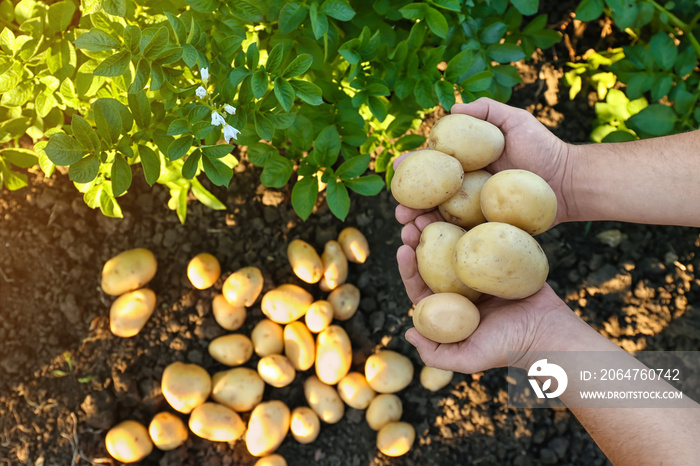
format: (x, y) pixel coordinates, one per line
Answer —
(426, 178)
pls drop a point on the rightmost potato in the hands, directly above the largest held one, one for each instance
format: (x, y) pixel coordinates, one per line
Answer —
(520, 198)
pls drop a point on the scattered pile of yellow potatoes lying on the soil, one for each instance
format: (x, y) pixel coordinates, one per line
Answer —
(297, 334)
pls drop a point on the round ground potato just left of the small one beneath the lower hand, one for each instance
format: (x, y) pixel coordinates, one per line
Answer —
(388, 371)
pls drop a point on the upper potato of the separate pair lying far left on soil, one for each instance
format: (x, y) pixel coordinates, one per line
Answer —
(128, 271)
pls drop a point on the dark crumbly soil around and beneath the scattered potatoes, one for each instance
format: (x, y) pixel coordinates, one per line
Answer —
(638, 291)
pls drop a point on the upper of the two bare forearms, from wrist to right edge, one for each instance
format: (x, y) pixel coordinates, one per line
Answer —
(653, 181)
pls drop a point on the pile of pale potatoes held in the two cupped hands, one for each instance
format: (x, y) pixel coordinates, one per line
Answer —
(485, 244)
